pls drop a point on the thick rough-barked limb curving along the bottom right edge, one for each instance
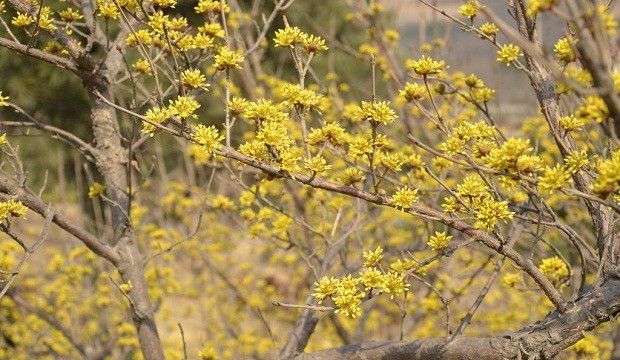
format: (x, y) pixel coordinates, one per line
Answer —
(543, 340)
